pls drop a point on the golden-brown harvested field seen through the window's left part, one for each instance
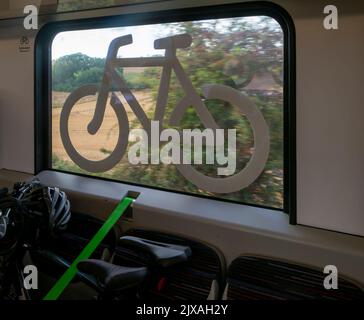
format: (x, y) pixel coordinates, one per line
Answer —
(93, 147)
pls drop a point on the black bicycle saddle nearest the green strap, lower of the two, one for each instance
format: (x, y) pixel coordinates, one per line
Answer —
(111, 277)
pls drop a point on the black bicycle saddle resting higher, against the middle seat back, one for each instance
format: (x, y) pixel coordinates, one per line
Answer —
(162, 254)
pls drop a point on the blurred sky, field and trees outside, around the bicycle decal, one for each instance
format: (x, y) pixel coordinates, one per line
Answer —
(245, 53)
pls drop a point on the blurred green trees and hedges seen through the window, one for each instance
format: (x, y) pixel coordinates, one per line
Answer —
(229, 55)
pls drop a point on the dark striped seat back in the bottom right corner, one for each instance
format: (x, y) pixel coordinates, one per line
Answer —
(255, 278)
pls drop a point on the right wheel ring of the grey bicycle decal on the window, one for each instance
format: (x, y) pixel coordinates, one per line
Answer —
(257, 162)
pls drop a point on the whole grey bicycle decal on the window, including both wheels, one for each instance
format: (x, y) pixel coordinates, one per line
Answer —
(169, 62)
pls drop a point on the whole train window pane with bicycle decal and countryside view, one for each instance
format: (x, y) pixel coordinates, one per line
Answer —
(189, 103)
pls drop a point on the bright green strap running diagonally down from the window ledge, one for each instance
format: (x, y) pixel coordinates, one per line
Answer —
(67, 277)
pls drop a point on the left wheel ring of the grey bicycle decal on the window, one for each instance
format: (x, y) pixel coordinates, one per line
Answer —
(123, 123)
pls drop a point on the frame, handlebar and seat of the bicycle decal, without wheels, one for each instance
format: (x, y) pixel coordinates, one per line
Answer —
(169, 62)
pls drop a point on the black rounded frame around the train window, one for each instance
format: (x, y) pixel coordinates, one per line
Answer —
(43, 83)
